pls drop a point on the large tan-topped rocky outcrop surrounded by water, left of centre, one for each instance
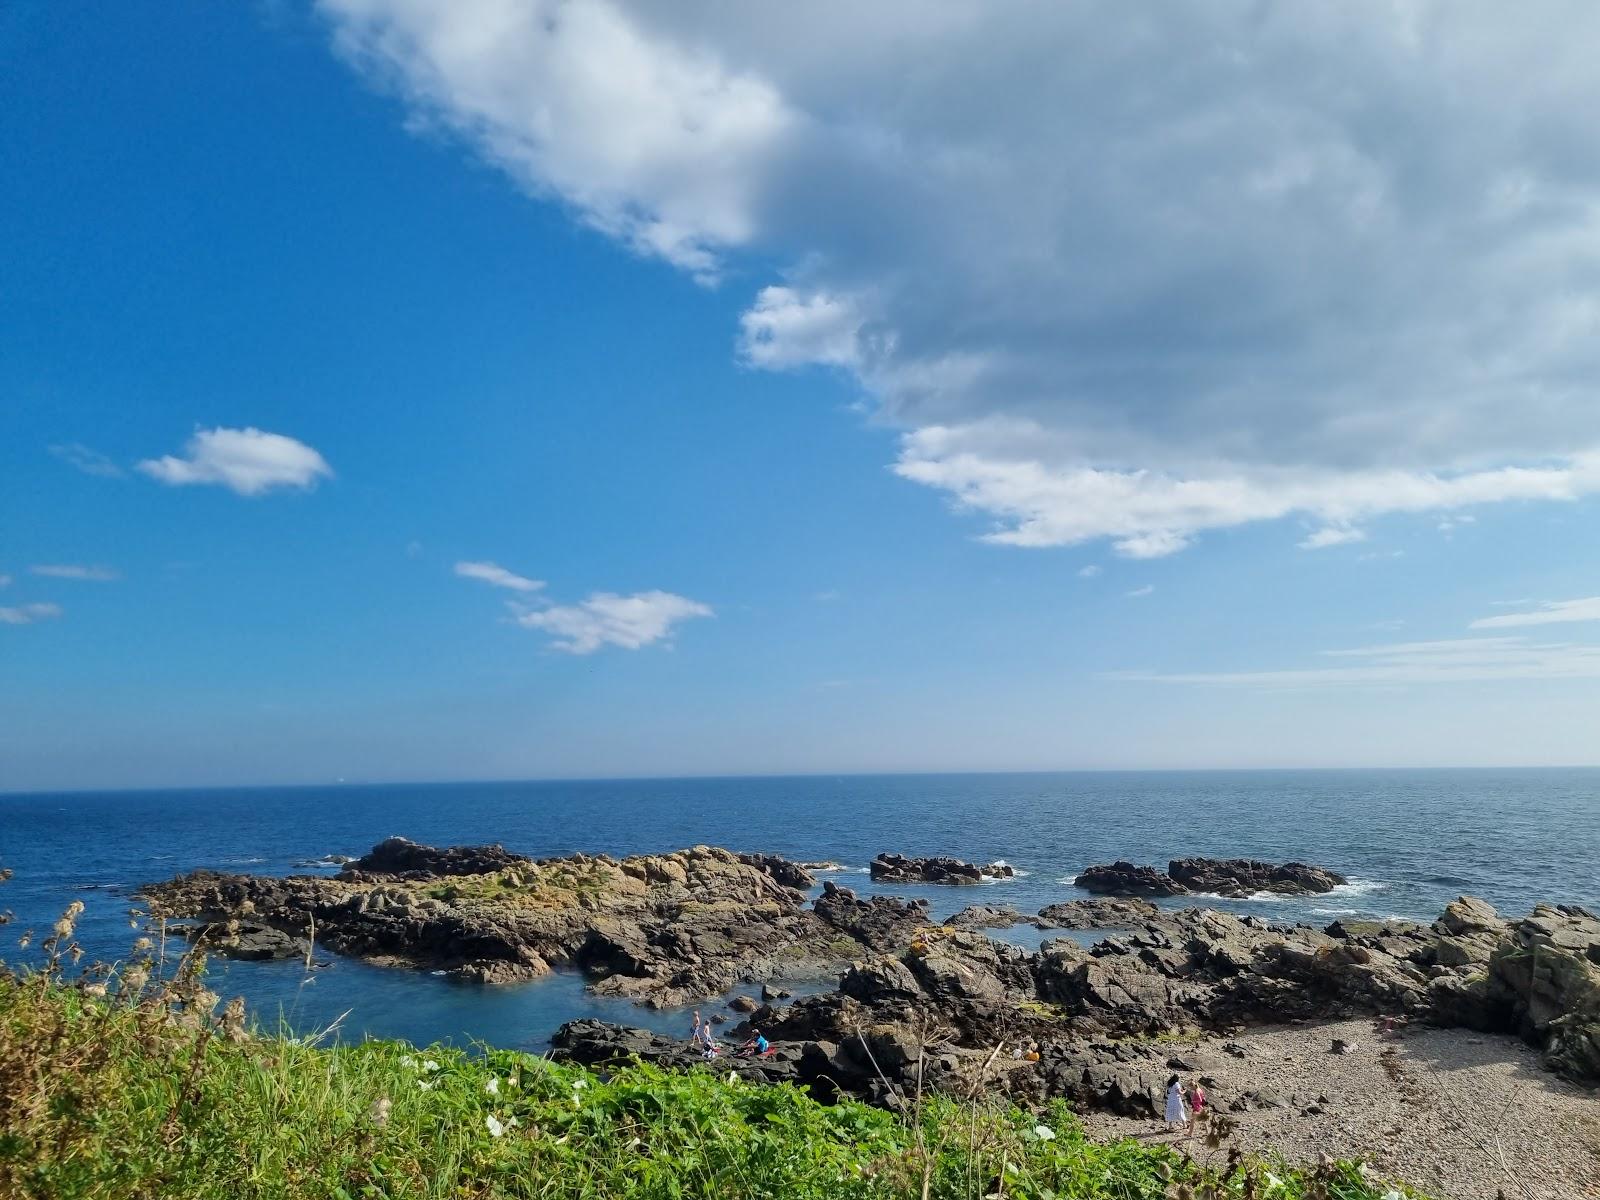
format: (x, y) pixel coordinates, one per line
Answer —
(660, 929)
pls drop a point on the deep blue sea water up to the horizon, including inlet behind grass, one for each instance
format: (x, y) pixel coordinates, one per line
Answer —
(1409, 841)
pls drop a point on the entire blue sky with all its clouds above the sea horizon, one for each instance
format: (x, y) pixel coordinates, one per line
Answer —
(591, 388)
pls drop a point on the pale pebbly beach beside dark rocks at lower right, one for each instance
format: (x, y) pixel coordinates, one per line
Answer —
(1457, 1114)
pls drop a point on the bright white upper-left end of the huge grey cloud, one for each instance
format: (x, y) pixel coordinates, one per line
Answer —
(650, 140)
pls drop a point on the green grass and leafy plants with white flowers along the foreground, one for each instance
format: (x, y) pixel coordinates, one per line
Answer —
(129, 1084)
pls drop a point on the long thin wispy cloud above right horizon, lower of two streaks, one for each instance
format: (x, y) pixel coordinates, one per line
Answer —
(1449, 662)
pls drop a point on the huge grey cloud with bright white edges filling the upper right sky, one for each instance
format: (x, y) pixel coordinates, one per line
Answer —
(1113, 276)
